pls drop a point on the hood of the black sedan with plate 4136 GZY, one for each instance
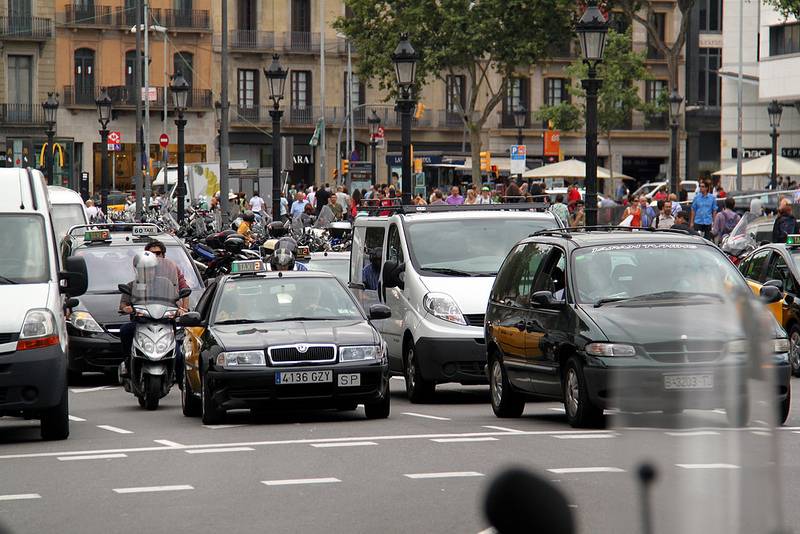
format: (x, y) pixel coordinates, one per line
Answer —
(262, 335)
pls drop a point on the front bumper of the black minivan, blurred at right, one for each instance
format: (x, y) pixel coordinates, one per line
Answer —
(643, 389)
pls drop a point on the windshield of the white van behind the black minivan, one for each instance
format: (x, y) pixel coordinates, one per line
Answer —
(468, 247)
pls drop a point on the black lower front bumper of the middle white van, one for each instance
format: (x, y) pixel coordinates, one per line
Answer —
(452, 360)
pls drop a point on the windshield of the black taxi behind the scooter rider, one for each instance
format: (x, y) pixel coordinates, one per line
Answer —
(108, 267)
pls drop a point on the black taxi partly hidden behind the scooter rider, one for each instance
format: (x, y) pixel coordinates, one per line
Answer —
(108, 250)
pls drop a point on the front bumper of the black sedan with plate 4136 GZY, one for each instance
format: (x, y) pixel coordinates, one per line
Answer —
(249, 389)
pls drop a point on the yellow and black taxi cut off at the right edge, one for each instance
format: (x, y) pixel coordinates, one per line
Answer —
(776, 265)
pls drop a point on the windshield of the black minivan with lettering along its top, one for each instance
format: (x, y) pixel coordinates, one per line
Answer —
(626, 271)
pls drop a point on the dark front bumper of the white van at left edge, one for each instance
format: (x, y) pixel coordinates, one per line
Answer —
(32, 380)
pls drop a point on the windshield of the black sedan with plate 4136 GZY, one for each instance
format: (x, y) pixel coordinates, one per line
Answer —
(261, 300)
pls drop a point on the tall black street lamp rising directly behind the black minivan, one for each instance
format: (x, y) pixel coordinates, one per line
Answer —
(591, 29)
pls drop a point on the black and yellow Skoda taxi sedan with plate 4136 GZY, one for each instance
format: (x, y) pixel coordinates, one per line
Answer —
(260, 339)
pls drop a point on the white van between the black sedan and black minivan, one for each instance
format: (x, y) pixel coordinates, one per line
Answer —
(438, 264)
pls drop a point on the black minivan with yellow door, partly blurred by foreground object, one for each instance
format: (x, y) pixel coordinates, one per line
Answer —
(624, 319)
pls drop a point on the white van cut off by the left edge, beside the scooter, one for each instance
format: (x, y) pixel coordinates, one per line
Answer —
(35, 291)
